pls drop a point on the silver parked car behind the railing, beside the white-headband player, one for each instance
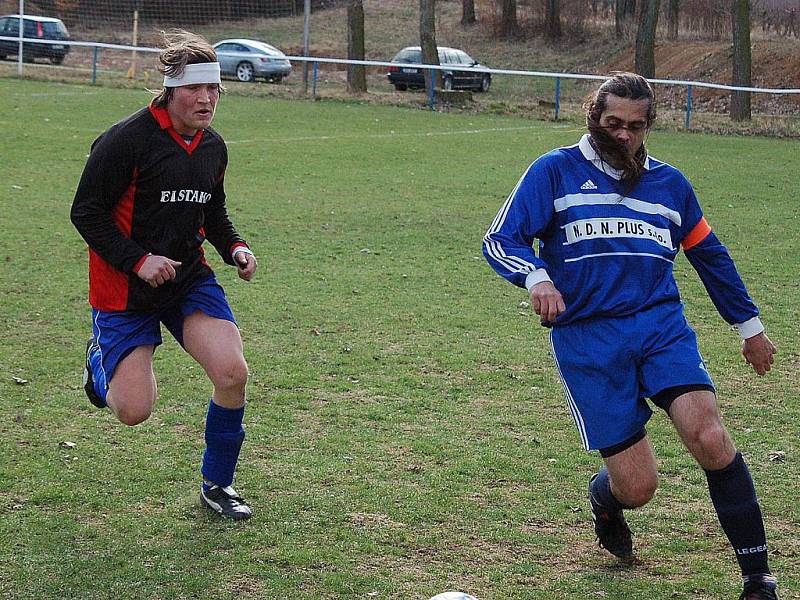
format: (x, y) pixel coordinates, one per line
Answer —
(248, 59)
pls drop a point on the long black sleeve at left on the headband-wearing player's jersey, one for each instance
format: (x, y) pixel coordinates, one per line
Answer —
(108, 179)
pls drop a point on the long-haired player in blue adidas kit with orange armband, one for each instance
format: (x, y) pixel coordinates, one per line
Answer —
(609, 220)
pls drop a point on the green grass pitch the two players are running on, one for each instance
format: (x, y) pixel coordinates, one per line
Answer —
(406, 429)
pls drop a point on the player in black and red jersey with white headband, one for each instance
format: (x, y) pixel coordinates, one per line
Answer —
(151, 192)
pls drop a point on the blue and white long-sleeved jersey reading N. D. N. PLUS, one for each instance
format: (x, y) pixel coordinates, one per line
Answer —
(610, 253)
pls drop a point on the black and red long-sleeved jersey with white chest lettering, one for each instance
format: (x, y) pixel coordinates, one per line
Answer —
(145, 190)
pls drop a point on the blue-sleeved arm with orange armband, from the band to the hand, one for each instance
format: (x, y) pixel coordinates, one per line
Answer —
(710, 258)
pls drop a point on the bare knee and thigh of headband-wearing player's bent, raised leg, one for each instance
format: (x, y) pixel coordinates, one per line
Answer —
(132, 389)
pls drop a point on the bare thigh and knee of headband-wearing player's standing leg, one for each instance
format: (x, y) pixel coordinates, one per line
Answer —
(217, 346)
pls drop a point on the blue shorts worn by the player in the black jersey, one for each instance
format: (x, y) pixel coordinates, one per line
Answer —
(118, 333)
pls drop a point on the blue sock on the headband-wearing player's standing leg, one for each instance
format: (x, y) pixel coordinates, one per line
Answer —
(224, 437)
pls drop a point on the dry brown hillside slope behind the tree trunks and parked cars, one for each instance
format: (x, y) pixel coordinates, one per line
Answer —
(392, 24)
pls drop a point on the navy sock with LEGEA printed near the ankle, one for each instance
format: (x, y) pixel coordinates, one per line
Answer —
(739, 513)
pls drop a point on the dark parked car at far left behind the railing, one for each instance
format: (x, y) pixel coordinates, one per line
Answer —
(43, 28)
